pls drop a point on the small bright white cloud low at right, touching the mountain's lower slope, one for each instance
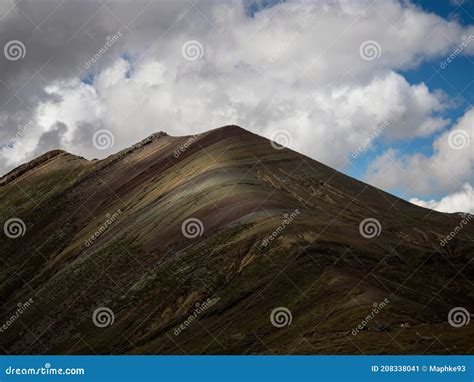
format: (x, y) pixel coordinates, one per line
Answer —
(460, 201)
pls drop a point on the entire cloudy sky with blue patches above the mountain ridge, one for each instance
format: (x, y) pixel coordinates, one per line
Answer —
(380, 90)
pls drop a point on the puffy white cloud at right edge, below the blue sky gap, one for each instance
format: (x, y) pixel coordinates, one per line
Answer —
(450, 165)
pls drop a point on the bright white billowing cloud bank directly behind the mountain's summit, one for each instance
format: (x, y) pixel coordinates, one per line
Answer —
(318, 120)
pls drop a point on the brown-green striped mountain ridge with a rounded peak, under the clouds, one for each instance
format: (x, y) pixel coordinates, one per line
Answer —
(224, 243)
